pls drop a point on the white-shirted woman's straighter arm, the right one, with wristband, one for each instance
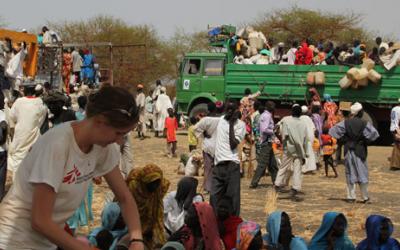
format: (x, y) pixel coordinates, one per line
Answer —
(129, 209)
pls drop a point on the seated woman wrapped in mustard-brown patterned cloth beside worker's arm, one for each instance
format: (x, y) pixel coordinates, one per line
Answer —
(148, 187)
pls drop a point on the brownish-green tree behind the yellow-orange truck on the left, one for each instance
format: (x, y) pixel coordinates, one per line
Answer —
(132, 64)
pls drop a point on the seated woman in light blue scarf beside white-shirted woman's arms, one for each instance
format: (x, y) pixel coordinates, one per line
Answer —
(112, 222)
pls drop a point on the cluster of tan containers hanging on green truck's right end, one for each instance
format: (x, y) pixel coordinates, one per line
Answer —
(358, 77)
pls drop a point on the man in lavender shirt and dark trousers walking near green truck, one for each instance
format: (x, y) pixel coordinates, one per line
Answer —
(265, 153)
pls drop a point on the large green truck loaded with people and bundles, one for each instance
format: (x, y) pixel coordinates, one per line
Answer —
(208, 77)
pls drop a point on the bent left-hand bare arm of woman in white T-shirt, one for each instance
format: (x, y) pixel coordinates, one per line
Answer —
(41, 219)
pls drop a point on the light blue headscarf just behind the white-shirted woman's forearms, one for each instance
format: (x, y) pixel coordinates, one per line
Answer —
(109, 217)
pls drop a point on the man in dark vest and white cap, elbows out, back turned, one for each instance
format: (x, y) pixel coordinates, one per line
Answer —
(357, 134)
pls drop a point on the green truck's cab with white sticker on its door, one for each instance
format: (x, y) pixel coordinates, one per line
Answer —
(201, 80)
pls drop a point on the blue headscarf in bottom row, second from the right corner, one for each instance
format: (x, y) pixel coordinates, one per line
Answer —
(319, 240)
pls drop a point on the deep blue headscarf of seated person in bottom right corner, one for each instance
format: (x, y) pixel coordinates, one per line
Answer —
(373, 226)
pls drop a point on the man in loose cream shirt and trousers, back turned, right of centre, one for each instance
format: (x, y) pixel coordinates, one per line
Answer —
(295, 151)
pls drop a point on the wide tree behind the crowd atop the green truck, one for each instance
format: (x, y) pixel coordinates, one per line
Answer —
(298, 24)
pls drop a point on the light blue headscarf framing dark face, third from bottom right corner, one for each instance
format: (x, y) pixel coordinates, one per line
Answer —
(273, 229)
